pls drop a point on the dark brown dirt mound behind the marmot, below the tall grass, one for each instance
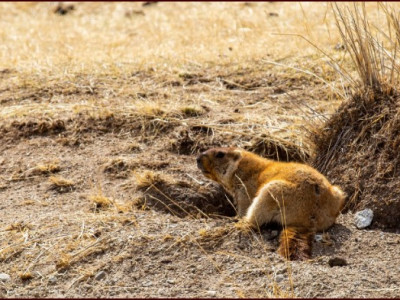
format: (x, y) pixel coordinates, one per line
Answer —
(358, 149)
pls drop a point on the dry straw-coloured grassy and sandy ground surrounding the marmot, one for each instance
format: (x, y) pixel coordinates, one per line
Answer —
(103, 110)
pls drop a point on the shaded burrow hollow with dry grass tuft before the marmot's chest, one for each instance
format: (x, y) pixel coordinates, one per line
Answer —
(164, 193)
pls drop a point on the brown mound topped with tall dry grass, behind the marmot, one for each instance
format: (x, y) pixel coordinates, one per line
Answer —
(358, 146)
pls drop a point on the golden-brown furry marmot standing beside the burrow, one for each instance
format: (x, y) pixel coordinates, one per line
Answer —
(292, 194)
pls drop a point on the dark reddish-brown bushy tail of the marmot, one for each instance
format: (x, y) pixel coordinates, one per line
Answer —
(296, 243)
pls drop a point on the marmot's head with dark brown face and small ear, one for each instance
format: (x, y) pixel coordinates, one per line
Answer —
(219, 164)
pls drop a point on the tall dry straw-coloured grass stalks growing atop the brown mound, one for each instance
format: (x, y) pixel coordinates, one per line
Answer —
(372, 46)
